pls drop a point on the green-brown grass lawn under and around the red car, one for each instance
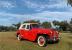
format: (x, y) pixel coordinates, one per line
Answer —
(8, 41)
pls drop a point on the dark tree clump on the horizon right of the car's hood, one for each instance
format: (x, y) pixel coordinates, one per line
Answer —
(63, 25)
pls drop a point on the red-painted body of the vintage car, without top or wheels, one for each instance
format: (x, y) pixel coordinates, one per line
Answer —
(32, 34)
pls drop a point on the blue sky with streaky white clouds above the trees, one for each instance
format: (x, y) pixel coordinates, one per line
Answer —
(14, 11)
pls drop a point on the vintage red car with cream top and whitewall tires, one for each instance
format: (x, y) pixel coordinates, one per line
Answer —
(33, 32)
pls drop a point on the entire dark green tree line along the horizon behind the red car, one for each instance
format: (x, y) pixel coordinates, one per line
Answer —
(63, 25)
